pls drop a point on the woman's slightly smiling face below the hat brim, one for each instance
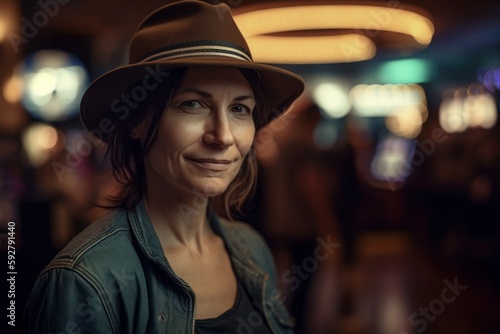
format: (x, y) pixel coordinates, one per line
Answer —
(205, 132)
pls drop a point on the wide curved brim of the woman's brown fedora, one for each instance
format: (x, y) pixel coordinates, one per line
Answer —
(103, 103)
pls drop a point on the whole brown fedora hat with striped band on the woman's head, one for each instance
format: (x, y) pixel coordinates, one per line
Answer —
(182, 34)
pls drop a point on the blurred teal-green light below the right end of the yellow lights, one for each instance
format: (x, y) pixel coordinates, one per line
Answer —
(405, 71)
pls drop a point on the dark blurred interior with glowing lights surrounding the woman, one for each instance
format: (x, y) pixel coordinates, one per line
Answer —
(378, 192)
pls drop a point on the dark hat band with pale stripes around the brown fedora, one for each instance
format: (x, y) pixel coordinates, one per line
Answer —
(199, 51)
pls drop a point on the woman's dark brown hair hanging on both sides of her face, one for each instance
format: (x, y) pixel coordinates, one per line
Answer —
(125, 154)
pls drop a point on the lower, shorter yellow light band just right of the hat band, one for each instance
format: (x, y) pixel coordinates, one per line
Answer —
(323, 49)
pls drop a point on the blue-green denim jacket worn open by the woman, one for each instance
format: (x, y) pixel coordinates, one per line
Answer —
(114, 278)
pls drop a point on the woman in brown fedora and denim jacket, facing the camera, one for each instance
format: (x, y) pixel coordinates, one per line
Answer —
(179, 122)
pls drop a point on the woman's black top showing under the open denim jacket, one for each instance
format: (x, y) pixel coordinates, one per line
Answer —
(243, 317)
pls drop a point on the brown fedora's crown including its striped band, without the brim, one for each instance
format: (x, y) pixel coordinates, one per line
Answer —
(188, 29)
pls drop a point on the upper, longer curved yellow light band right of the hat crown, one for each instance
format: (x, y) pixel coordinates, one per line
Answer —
(366, 18)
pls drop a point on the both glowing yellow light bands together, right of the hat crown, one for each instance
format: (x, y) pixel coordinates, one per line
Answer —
(366, 21)
